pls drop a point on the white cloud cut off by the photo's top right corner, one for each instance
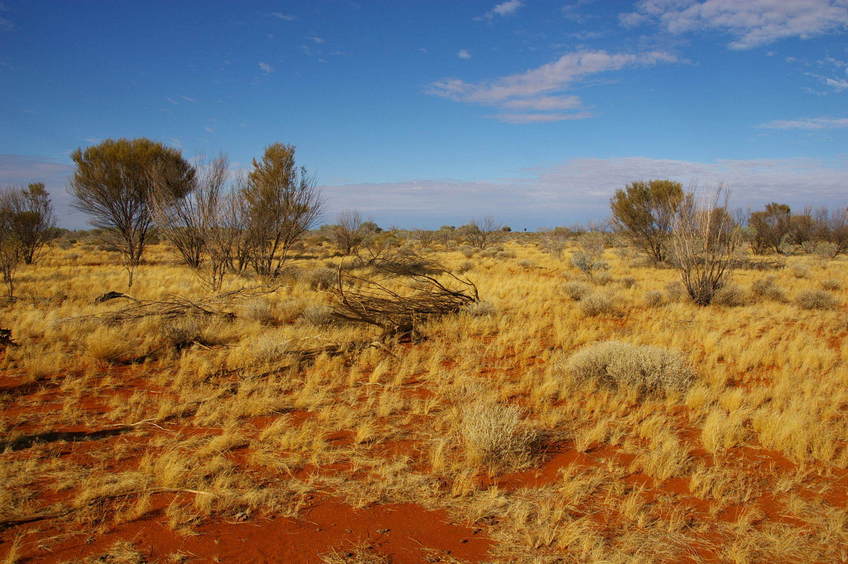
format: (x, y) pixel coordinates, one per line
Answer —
(752, 22)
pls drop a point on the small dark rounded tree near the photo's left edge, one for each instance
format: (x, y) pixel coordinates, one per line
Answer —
(35, 220)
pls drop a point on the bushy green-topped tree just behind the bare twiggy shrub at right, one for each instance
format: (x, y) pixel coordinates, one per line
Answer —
(645, 211)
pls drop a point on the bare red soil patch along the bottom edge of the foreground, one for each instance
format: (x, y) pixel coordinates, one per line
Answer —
(404, 532)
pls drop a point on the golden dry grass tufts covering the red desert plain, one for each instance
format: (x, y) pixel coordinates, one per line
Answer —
(745, 463)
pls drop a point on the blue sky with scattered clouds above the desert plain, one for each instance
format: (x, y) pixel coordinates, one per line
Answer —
(429, 113)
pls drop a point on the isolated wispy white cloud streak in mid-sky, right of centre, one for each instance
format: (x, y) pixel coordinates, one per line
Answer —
(541, 88)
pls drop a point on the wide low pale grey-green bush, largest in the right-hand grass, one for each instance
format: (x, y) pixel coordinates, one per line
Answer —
(649, 369)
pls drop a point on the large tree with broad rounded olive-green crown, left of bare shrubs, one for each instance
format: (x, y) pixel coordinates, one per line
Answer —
(113, 183)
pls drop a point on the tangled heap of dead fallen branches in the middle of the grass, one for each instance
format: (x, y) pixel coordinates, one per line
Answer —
(402, 292)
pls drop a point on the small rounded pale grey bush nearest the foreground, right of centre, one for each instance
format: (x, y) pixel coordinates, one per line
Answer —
(495, 436)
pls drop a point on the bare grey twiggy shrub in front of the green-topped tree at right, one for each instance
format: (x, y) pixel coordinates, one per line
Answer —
(703, 244)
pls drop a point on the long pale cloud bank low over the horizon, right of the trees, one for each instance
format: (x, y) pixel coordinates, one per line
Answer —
(579, 190)
